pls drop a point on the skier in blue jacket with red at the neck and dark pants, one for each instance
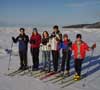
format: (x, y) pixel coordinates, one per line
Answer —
(66, 54)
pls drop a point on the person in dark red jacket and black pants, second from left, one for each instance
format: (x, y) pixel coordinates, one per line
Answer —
(35, 41)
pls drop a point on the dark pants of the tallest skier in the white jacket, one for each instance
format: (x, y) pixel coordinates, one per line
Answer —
(55, 57)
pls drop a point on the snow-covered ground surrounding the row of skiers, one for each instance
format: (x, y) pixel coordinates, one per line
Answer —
(29, 83)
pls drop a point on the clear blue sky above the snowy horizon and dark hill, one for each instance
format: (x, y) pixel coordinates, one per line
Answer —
(49, 12)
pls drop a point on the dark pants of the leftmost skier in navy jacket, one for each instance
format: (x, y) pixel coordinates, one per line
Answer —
(23, 58)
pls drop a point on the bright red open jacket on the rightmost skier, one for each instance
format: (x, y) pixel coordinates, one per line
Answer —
(83, 48)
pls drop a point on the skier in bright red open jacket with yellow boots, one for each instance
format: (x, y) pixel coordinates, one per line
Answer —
(79, 48)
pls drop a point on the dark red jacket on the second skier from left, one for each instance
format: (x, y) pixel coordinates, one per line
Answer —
(35, 41)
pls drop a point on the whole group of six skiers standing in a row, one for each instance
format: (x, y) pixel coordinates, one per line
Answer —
(52, 44)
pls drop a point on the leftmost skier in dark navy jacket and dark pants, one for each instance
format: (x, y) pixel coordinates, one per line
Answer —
(23, 40)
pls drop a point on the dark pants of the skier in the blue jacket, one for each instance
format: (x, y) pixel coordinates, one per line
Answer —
(65, 60)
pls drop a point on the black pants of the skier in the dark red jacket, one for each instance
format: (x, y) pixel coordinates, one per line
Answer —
(35, 57)
